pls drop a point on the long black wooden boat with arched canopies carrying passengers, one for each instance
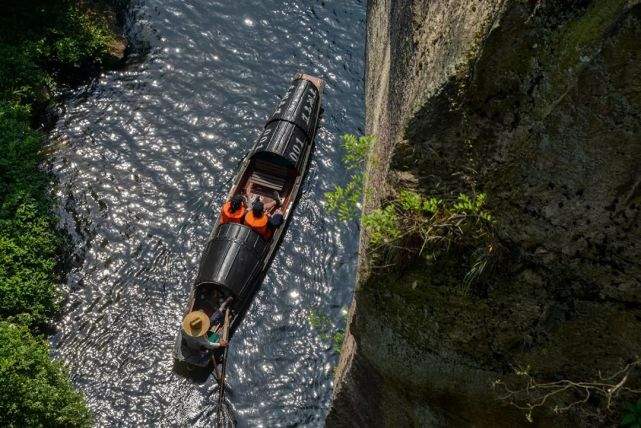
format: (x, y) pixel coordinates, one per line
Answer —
(236, 258)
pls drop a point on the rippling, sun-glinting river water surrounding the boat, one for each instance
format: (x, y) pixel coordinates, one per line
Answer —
(144, 157)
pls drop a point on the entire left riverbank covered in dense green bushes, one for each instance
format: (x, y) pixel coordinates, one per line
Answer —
(43, 46)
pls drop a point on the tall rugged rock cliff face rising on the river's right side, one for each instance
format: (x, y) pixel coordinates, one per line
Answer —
(538, 105)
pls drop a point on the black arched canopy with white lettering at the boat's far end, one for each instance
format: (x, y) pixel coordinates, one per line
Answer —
(290, 129)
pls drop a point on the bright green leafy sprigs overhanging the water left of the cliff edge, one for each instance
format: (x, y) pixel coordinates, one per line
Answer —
(344, 200)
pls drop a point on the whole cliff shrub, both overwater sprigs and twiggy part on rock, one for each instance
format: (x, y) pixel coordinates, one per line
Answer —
(412, 225)
